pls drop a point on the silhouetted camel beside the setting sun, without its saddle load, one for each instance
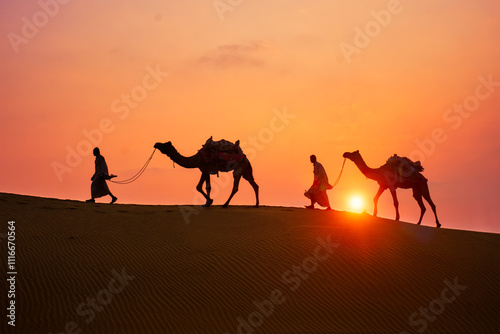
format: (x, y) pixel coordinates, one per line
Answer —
(388, 178)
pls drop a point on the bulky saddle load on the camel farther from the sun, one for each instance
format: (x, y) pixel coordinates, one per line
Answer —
(221, 152)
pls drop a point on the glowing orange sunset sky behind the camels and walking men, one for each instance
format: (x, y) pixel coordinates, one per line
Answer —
(288, 78)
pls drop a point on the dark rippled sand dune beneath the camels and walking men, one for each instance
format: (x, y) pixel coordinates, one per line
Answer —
(99, 268)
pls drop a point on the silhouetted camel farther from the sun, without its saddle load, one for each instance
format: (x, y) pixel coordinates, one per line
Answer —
(243, 168)
